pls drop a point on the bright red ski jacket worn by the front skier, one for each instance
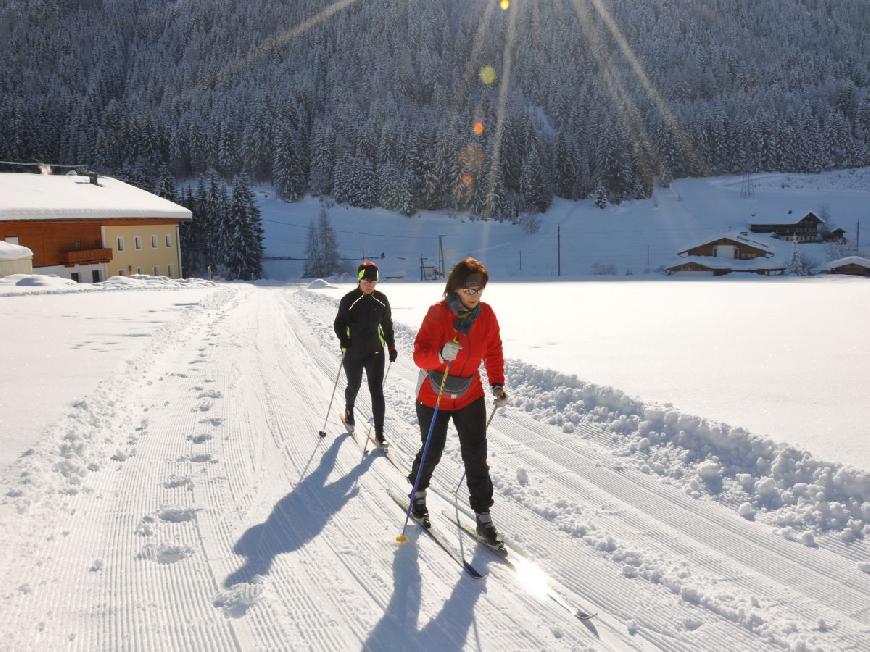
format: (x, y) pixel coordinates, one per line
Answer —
(481, 344)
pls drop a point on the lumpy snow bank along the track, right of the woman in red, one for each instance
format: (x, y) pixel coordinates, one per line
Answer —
(755, 476)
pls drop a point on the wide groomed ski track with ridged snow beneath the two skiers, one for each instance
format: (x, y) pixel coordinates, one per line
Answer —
(212, 517)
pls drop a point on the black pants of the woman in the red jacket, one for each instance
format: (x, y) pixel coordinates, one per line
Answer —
(470, 423)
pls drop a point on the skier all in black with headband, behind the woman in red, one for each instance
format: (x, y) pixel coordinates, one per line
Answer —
(364, 324)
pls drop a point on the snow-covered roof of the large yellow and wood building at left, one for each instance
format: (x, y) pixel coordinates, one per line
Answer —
(25, 196)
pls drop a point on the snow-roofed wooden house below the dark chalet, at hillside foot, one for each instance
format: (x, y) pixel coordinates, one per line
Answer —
(733, 252)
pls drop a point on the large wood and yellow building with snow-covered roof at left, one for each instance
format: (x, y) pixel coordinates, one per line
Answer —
(88, 228)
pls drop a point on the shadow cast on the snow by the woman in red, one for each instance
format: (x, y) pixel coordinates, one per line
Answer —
(447, 631)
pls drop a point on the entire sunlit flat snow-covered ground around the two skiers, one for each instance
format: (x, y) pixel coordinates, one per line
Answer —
(184, 501)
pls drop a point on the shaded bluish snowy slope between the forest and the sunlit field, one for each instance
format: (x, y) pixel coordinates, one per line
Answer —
(635, 237)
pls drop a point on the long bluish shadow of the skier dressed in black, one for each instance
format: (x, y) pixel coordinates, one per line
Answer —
(298, 517)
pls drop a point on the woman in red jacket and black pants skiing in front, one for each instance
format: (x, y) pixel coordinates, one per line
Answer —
(461, 331)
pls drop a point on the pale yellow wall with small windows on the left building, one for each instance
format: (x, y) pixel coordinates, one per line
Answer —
(131, 259)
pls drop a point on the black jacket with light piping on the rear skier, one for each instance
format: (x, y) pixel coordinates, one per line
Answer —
(364, 322)
